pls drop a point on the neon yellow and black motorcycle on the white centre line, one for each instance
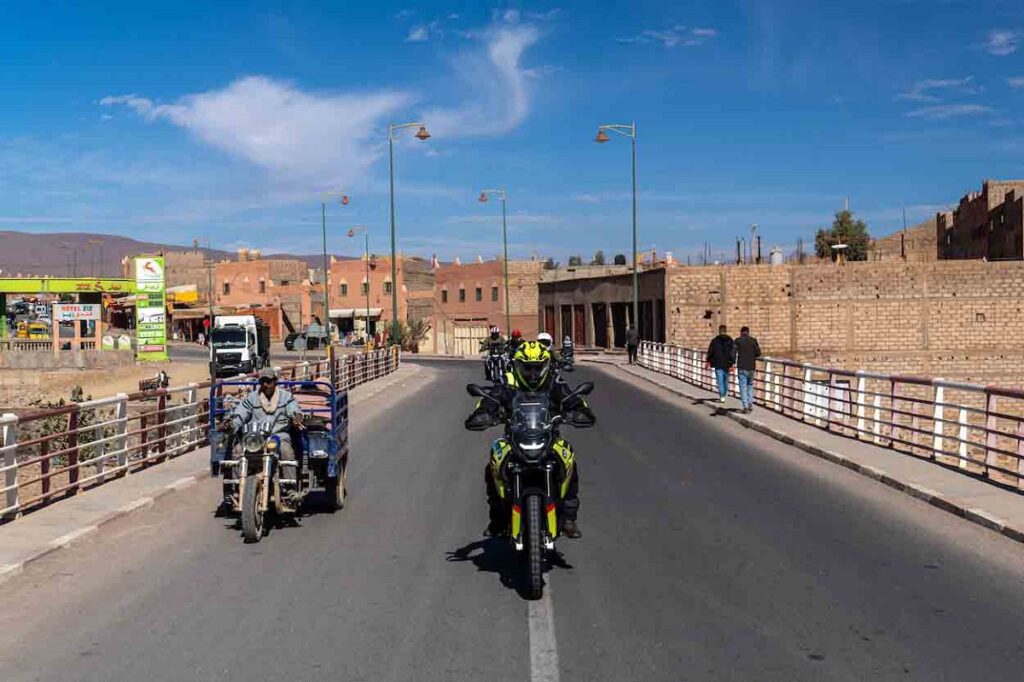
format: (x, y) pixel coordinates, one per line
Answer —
(532, 467)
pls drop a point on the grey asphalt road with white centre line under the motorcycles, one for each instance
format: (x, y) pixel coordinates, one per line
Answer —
(709, 553)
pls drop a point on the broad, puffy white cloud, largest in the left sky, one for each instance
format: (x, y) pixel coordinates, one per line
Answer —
(297, 136)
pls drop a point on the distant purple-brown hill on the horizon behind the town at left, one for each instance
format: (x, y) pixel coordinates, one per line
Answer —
(86, 254)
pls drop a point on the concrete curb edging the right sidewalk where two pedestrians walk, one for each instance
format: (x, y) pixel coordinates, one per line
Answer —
(937, 500)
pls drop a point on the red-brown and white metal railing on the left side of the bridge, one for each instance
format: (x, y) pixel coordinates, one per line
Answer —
(49, 455)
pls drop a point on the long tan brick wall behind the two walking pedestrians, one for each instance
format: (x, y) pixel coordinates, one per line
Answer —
(959, 320)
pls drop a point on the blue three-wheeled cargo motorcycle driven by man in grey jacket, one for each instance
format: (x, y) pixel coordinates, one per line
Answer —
(255, 485)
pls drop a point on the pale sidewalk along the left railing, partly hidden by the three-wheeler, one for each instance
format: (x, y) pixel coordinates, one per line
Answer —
(65, 523)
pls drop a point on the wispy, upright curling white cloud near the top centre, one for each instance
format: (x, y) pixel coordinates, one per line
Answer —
(494, 74)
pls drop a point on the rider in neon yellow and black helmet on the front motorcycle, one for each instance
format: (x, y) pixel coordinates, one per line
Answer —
(533, 372)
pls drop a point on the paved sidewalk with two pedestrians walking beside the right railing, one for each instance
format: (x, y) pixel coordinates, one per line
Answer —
(978, 502)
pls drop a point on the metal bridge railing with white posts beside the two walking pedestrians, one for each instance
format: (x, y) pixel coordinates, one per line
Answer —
(974, 429)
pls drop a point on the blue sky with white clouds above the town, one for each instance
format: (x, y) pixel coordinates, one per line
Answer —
(166, 123)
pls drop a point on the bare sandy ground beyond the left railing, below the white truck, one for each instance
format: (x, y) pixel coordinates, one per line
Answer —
(25, 389)
